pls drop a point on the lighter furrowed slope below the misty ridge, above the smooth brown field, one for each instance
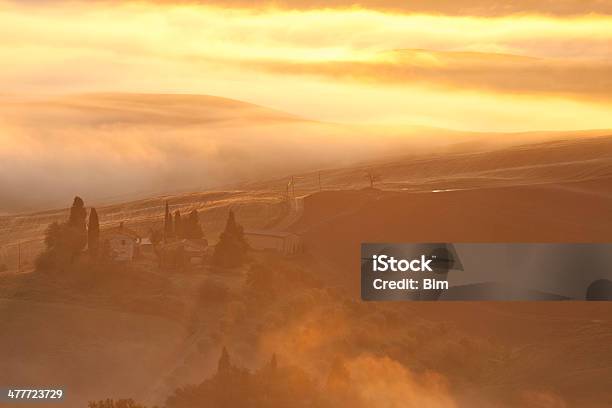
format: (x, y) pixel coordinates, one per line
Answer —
(530, 159)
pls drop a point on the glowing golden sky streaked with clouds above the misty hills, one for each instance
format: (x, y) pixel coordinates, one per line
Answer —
(468, 65)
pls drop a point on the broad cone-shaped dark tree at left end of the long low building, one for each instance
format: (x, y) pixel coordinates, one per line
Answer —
(231, 249)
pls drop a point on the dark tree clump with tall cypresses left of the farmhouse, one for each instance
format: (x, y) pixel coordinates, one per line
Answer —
(64, 242)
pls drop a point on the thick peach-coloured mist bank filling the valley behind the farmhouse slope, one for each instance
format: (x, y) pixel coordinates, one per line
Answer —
(109, 148)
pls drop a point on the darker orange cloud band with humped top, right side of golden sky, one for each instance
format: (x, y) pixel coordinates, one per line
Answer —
(467, 70)
